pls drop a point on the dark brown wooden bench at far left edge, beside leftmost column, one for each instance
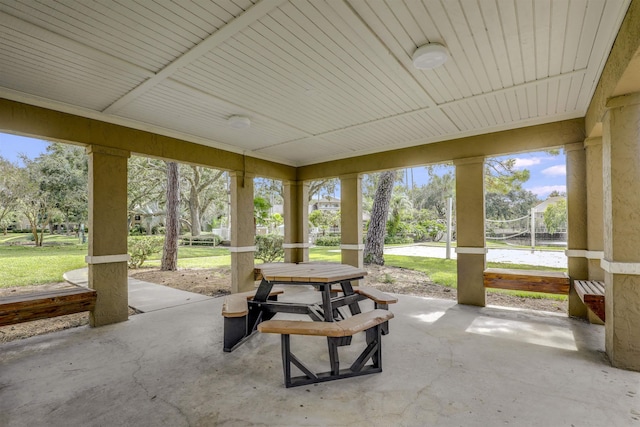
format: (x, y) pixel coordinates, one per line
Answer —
(43, 305)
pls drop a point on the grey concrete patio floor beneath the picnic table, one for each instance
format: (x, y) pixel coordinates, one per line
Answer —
(444, 365)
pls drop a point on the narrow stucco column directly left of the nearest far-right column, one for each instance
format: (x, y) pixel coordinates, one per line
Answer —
(595, 222)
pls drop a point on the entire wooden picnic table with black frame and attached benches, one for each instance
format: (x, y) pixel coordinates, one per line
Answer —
(247, 312)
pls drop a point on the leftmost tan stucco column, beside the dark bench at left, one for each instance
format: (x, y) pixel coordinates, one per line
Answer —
(107, 255)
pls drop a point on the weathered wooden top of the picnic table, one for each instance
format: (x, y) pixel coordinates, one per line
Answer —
(309, 272)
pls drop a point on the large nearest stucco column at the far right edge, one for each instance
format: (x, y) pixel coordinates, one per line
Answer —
(621, 263)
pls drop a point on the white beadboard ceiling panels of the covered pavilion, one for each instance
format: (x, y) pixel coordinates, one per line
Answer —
(319, 80)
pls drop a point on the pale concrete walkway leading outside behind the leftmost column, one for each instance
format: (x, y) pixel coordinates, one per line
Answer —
(144, 296)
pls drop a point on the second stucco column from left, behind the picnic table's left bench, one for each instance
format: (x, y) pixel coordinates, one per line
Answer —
(242, 232)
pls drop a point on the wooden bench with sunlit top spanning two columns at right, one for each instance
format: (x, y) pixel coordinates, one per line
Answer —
(550, 282)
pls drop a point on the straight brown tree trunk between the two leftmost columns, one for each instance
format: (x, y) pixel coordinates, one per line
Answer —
(170, 252)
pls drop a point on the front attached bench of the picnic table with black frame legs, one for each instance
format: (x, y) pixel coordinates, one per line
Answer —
(338, 334)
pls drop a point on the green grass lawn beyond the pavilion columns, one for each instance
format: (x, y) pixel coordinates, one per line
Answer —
(28, 265)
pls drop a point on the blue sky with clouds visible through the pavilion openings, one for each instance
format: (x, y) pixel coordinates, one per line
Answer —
(548, 172)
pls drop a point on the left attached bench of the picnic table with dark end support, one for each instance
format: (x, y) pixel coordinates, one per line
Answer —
(235, 310)
